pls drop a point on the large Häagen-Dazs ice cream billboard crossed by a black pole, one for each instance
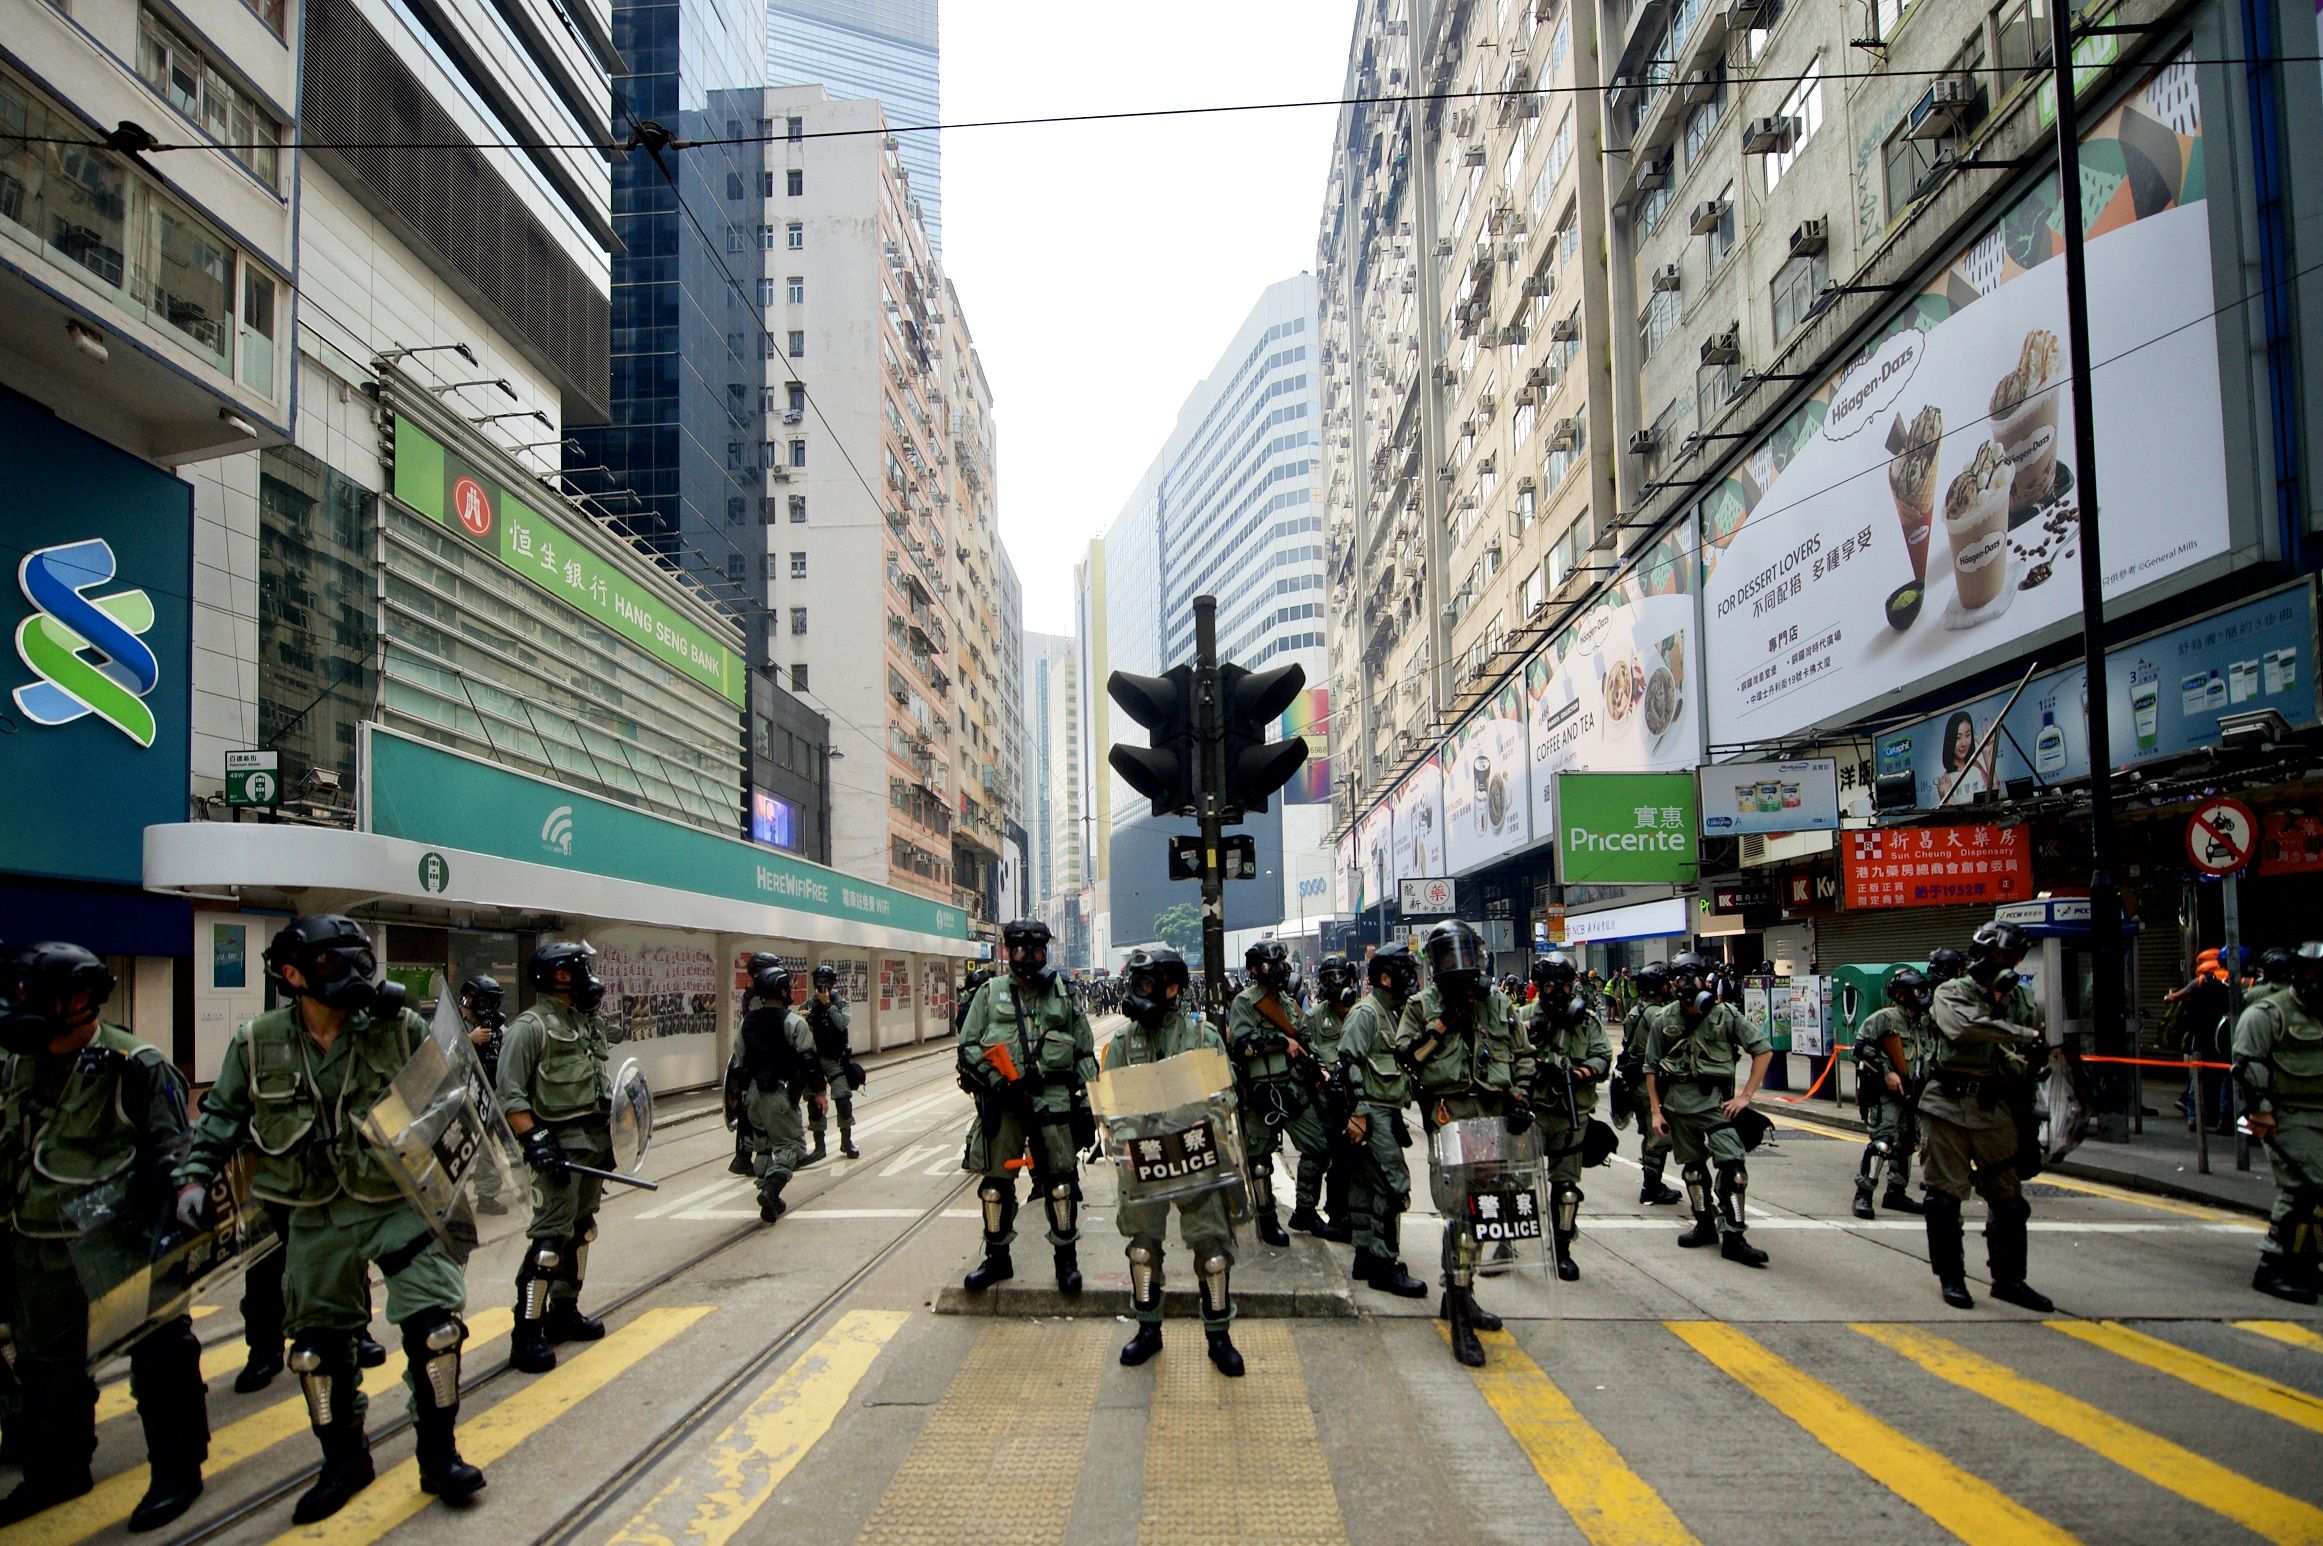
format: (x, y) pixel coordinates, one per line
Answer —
(1920, 512)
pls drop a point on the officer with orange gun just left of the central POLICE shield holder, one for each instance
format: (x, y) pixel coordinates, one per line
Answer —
(1028, 1057)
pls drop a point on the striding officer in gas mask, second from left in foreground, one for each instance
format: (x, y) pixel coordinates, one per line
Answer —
(296, 1085)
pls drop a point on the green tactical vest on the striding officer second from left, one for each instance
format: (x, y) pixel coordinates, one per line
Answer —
(305, 1153)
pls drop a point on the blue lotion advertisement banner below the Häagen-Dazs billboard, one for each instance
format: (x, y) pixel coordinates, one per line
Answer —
(2166, 695)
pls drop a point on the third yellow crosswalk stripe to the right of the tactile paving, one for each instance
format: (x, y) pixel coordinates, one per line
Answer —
(2136, 1450)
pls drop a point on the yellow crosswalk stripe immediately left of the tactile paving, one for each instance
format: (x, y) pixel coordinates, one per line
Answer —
(721, 1491)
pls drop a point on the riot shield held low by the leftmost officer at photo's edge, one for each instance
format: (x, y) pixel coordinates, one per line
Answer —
(141, 1266)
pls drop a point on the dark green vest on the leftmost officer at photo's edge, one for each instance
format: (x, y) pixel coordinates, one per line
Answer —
(85, 1141)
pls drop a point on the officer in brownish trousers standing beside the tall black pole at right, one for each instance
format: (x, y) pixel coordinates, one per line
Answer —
(1987, 1034)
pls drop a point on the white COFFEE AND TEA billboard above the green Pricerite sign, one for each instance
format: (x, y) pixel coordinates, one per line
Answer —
(1616, 691)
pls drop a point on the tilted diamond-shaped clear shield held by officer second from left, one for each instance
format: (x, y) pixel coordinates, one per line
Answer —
(445, 1141)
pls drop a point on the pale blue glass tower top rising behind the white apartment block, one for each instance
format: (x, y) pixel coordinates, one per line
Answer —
(882, 50)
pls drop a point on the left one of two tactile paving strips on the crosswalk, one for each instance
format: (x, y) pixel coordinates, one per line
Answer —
(1000, 1457)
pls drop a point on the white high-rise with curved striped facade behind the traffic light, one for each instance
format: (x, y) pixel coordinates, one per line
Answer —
(1225, 512)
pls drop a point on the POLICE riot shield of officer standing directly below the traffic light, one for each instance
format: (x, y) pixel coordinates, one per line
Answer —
(1174, 1129)
